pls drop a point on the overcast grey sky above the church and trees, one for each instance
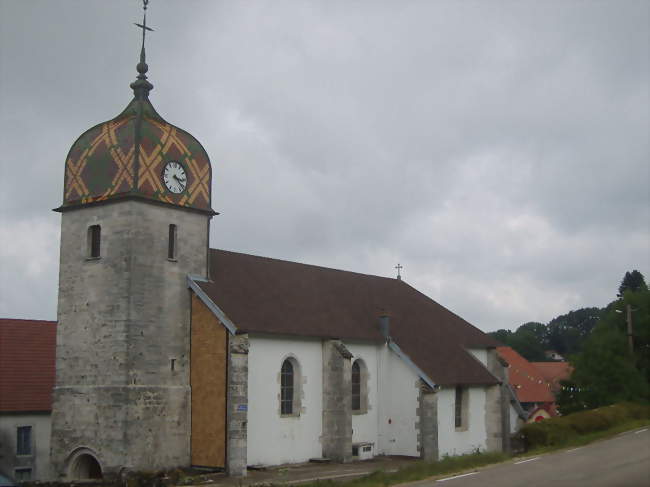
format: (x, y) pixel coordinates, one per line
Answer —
(498, 150)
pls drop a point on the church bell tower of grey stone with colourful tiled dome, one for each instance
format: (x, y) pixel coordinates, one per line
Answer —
(135, 222)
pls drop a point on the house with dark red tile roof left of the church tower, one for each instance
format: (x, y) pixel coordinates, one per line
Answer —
(27, 350)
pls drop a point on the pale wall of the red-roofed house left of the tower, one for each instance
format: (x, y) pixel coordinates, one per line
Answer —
(39, 460)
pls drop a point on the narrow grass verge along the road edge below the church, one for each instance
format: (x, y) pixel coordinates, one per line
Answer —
(455, 465)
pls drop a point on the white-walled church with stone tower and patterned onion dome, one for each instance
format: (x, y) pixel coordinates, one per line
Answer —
(170, 353)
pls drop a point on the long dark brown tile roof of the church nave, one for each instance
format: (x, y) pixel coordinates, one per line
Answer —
(262, 295)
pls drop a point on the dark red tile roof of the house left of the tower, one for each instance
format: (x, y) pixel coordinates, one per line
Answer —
(27, 351)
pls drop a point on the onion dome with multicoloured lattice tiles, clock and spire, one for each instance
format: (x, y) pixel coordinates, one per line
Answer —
(138, 155)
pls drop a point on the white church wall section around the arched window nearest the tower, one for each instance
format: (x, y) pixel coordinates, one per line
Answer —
(273, 440)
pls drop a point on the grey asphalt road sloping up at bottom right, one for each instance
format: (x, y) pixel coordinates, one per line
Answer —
(622, 461)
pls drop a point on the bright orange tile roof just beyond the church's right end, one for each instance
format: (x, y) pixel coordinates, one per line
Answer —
(526, 379)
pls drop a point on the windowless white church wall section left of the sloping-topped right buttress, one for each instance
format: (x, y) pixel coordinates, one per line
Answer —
(398, 393)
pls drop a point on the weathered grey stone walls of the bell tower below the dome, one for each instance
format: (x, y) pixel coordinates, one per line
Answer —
(123, 319)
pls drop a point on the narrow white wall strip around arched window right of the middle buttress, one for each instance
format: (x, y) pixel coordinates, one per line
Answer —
(364, 426)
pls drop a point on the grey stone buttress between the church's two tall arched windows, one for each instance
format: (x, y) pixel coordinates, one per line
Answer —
(337, 402)
